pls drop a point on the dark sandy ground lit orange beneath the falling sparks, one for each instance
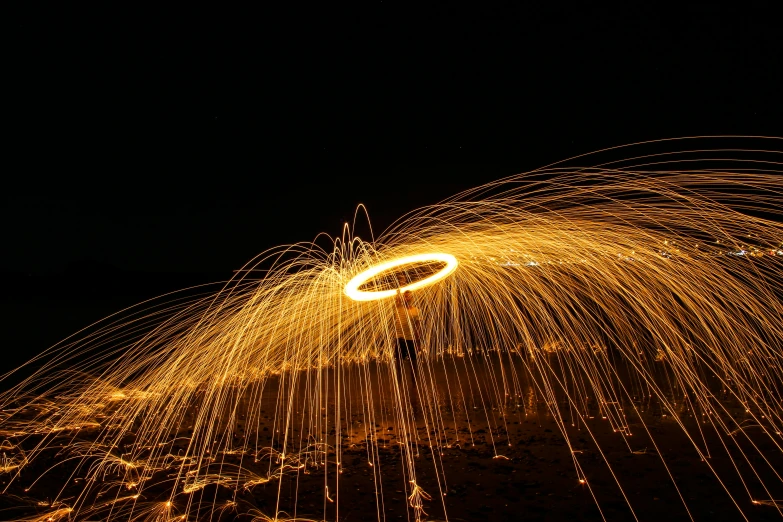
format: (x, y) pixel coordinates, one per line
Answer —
(478, 457)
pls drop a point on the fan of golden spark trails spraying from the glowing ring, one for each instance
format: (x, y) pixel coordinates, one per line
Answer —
(595, 285)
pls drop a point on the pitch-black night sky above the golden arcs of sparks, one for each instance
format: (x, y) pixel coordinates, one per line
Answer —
(148, 150)
